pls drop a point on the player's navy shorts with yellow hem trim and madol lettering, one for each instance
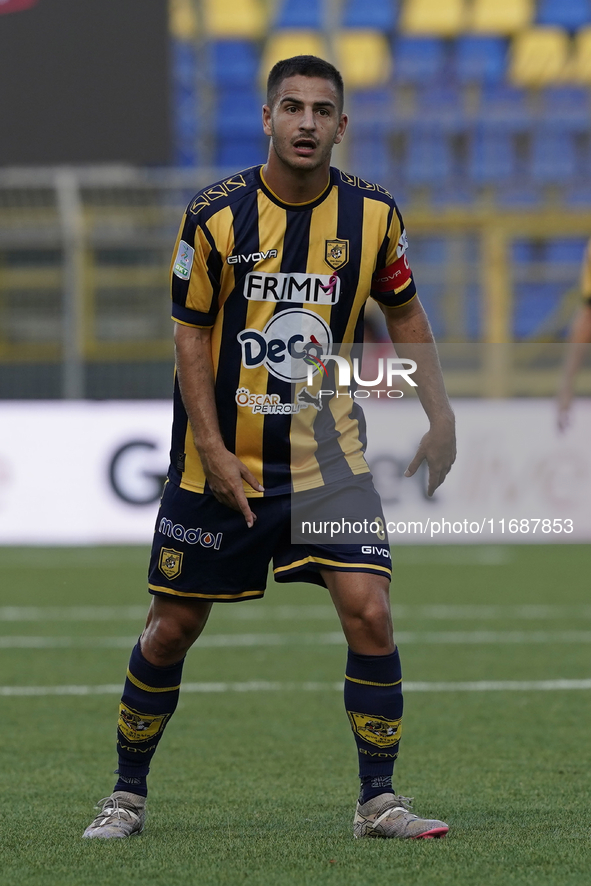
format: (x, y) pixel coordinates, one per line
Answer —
(204, 549)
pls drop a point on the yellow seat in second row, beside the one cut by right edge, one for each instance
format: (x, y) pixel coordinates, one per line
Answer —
(539, 56)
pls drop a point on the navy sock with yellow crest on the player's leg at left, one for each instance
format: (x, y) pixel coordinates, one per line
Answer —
(150, 697)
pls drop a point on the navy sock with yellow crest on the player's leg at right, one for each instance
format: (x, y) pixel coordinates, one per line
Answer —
(373, 701)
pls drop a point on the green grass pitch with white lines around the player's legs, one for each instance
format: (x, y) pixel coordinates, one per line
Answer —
(255, 779)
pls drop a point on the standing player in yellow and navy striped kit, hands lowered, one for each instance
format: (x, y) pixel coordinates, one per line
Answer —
(271, 265)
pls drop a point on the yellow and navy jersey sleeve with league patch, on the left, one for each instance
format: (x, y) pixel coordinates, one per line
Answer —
(195, 275)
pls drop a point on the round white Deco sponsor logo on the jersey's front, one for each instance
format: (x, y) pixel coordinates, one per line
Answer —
(286, 345)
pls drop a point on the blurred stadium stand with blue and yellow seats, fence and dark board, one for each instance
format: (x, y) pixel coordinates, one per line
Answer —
(474, 113)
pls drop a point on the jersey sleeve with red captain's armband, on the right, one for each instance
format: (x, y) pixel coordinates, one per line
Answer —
(392, 283)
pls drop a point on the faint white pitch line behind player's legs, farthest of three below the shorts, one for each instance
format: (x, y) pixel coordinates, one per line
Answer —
(317, 612)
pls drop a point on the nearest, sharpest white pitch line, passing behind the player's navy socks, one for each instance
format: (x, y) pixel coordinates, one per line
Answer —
(264, 686)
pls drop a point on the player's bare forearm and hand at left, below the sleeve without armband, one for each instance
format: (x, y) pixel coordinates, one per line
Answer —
(224, 471)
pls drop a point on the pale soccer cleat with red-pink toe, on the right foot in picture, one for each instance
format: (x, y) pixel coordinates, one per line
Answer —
(389, 816)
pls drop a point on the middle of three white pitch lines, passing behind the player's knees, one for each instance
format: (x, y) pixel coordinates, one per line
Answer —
(335, 638)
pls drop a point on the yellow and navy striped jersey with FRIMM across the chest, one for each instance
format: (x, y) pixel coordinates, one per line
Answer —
(278, 282)
